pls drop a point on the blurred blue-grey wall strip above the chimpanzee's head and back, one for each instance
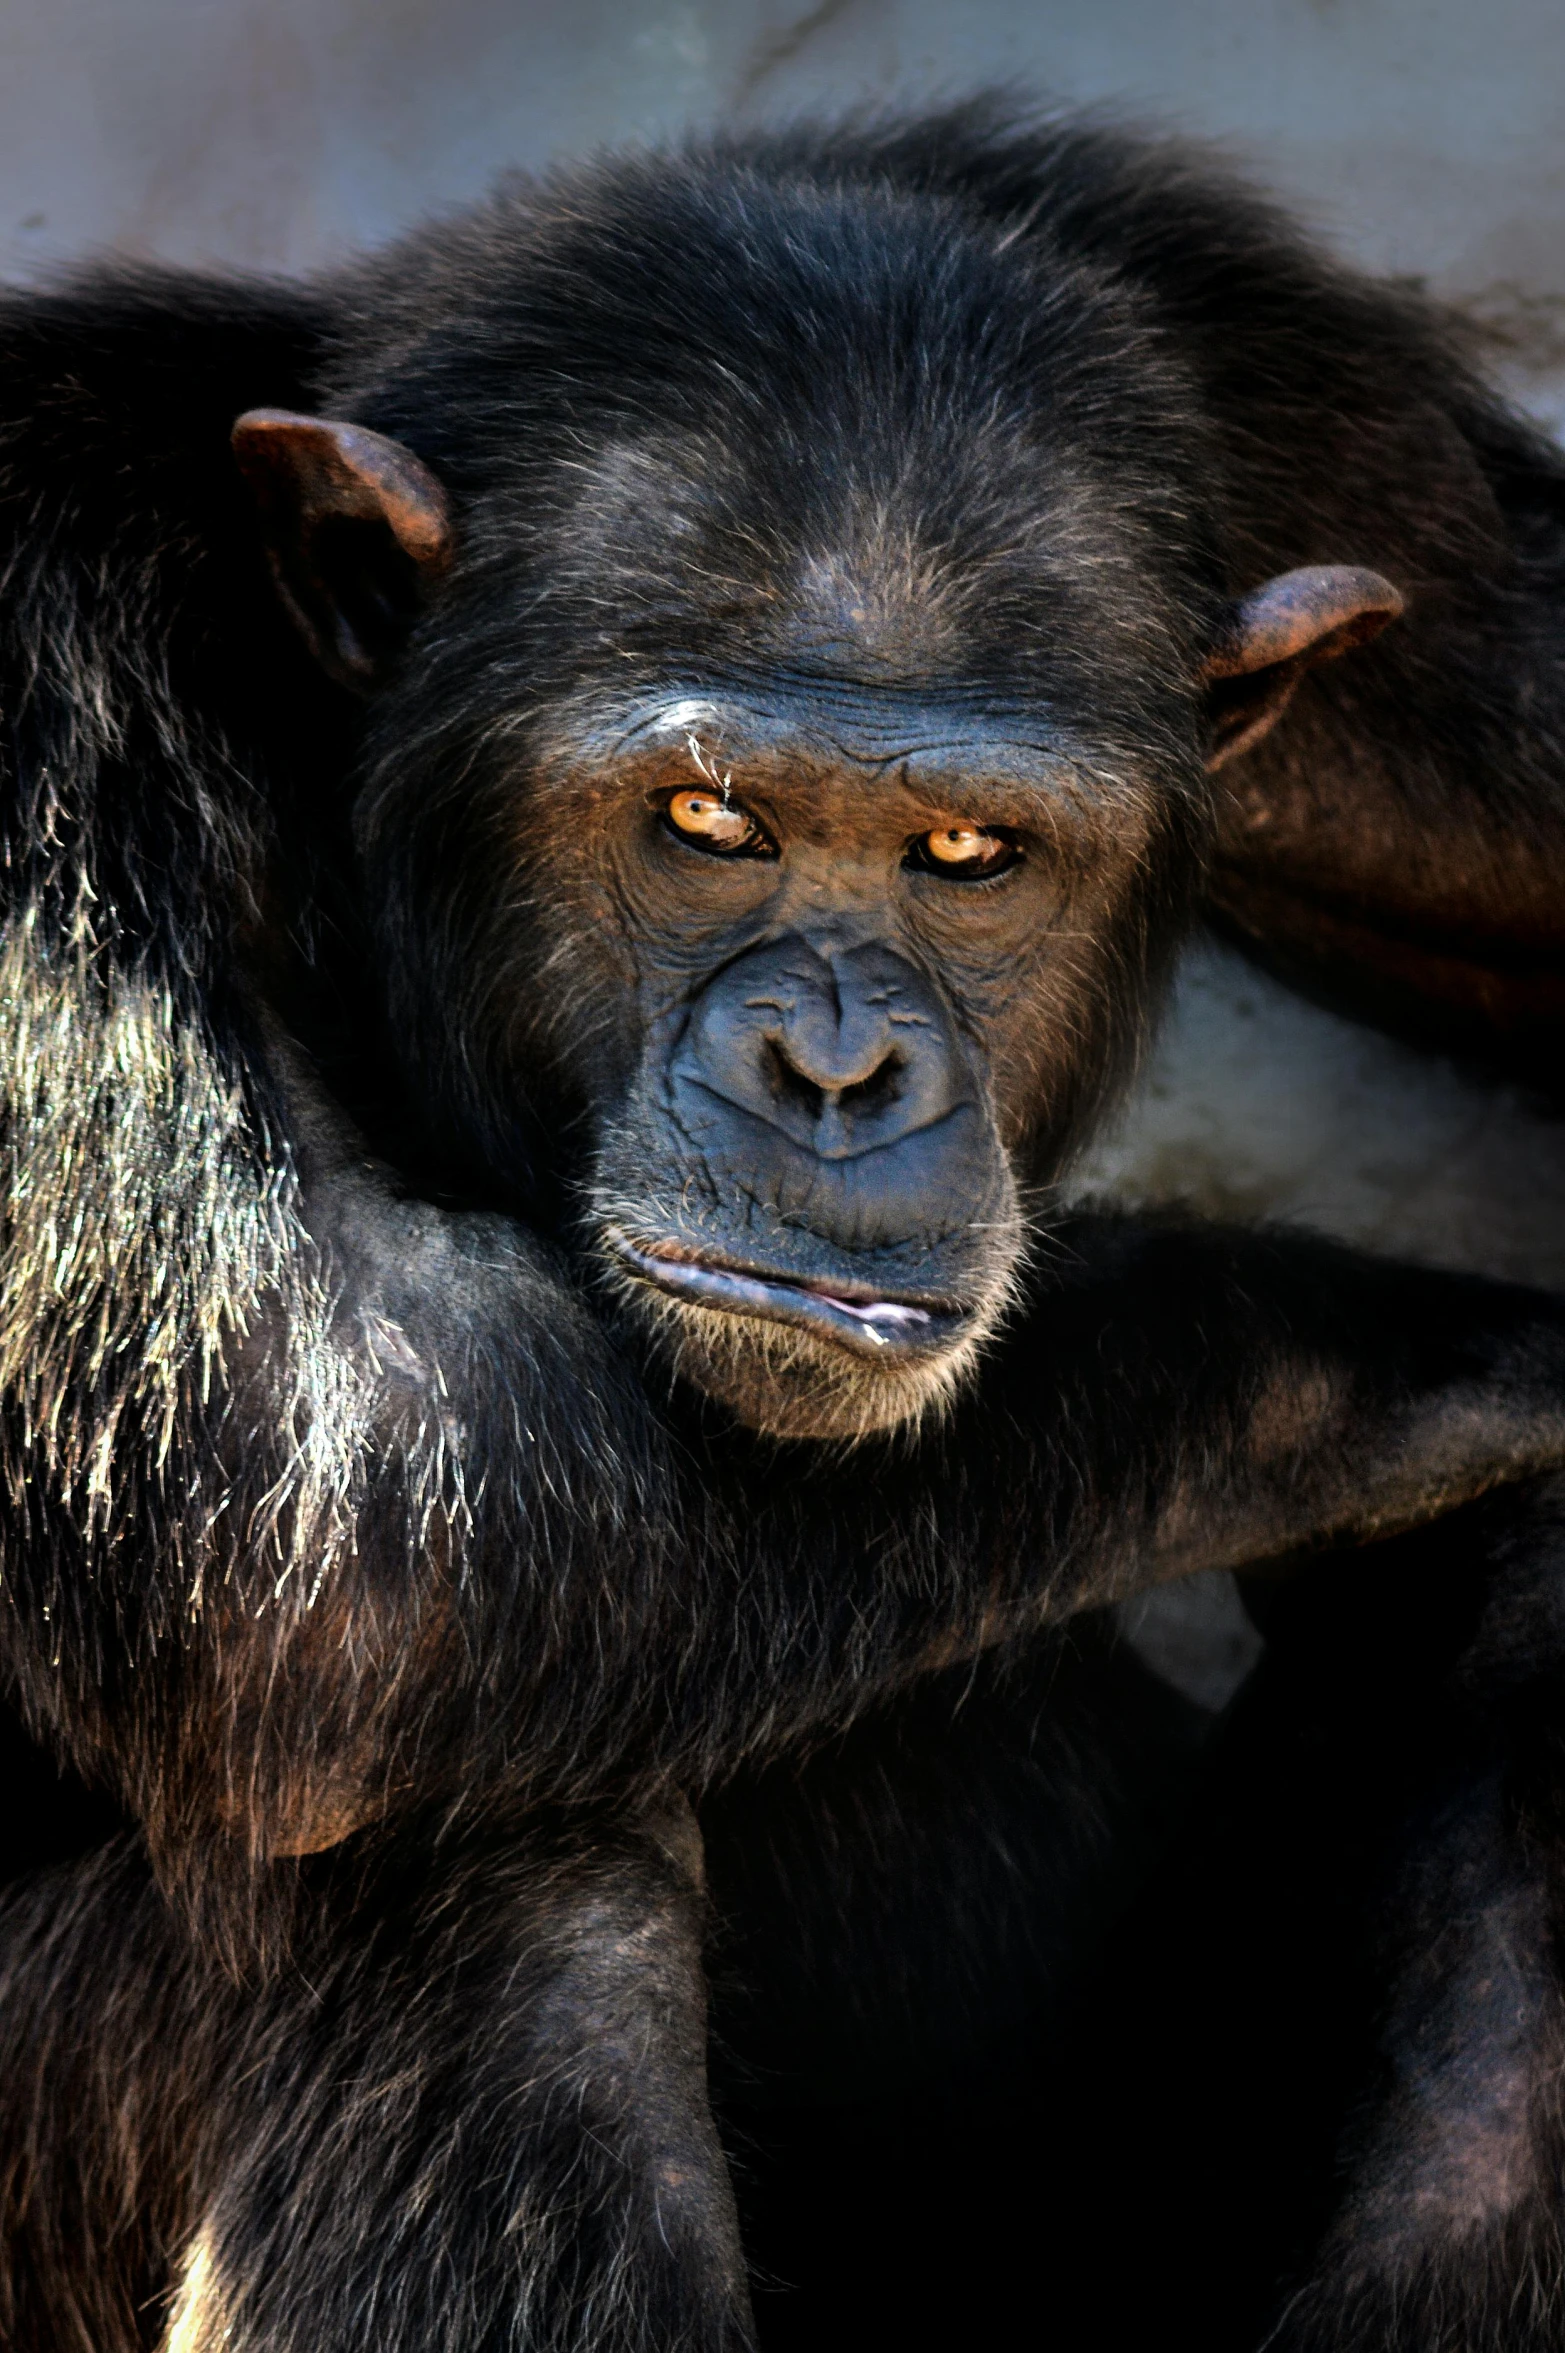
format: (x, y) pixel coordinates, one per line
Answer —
(1420, 135)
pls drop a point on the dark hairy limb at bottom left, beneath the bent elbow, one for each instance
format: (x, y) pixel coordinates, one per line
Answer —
(477, 2107)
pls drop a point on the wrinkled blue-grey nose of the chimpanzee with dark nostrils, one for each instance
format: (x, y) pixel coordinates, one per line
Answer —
(841, 1051)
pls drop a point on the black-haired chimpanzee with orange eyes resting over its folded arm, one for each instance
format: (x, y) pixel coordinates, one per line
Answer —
(594, 811)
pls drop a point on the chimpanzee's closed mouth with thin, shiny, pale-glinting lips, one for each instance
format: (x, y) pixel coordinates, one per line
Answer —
(853, 1314)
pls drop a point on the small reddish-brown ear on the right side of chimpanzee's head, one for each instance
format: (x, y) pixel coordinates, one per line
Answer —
(1277, 634)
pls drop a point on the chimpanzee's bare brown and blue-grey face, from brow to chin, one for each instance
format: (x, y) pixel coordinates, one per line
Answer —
(848, 978)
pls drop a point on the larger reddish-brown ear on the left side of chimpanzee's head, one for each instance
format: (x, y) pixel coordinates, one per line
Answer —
(359, 533)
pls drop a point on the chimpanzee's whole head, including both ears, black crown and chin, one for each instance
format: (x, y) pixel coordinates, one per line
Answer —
(794, 648)
